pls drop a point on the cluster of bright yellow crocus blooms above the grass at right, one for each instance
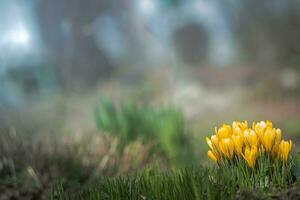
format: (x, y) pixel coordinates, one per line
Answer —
(243, 142)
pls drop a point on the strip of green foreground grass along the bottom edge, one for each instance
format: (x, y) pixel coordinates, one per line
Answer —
(186, 184)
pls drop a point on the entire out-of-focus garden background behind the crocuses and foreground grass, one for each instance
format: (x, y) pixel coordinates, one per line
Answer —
(98, 84)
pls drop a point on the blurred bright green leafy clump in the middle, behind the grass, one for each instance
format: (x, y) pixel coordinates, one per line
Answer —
(164, 125)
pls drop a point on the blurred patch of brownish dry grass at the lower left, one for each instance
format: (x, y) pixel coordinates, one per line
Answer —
(29, 165)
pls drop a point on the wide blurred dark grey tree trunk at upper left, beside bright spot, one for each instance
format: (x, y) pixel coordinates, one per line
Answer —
(66, 29)
